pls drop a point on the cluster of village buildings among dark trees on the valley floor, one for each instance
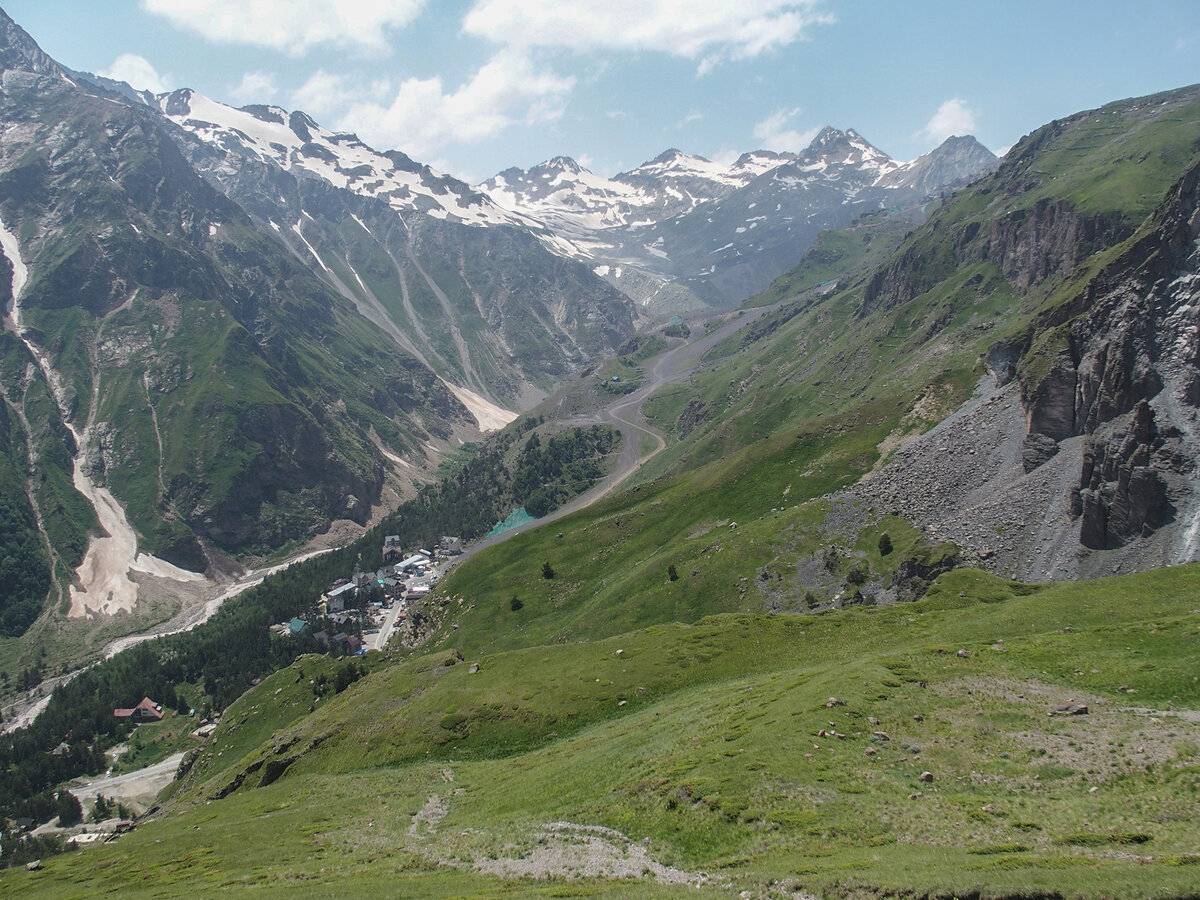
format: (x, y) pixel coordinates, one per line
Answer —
(359, 605)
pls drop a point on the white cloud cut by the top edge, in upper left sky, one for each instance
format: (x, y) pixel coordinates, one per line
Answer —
(293, 27)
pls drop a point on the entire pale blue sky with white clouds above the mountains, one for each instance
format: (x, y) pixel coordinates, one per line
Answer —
(473, 87)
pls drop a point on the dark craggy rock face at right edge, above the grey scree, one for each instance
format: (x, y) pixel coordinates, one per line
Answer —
(1127, 374)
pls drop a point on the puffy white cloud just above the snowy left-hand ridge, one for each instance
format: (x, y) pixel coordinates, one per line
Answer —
(421, 117)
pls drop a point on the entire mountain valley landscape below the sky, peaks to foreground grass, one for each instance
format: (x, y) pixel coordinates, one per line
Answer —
(812, 526)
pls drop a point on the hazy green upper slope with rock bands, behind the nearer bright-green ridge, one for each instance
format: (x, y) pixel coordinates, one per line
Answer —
(911, 327)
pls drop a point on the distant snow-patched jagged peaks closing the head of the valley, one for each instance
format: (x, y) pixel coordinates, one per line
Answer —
(712, 235)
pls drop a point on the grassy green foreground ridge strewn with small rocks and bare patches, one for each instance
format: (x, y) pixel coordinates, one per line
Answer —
(749, 751)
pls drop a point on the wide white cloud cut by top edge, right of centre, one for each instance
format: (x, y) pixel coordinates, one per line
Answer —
(707, 31)
